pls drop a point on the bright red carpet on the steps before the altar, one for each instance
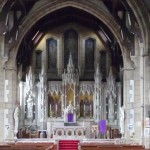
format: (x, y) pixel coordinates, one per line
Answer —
(68, 144)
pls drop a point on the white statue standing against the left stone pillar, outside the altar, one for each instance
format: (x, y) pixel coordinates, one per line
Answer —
(16, 118)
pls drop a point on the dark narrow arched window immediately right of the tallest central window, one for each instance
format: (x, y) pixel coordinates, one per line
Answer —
(89, 54)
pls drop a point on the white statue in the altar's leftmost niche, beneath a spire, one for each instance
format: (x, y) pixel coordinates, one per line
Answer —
(30, 107)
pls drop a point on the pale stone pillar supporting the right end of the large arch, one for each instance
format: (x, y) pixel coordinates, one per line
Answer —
(128, 74)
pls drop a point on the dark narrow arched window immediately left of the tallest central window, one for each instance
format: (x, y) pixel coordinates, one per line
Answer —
(52, 53)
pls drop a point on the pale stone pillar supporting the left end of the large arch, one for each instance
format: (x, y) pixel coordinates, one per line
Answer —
(10, 95)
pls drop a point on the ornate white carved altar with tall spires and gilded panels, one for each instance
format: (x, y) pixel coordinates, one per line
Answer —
(70, 108)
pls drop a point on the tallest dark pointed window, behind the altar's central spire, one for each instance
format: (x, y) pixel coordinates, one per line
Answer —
(71, 46)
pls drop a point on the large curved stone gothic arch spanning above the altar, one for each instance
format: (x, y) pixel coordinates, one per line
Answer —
(87, 6)
